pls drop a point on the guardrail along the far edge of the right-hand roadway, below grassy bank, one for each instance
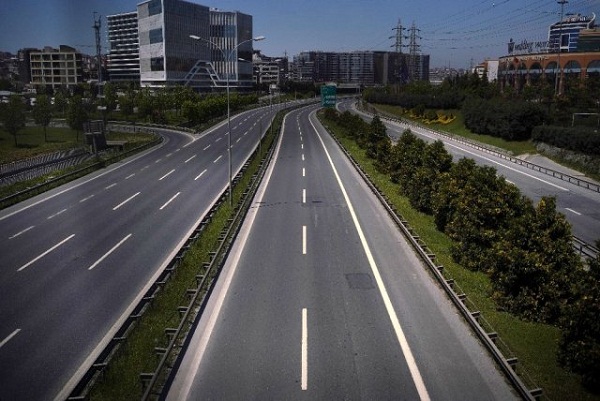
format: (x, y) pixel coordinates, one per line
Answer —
(532, 166)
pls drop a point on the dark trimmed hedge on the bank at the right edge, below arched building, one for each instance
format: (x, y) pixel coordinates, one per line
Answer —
(582, 140)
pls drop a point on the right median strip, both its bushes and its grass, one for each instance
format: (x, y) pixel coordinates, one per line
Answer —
(513, 258)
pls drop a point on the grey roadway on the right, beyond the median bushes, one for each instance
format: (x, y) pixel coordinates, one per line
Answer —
(580, 205)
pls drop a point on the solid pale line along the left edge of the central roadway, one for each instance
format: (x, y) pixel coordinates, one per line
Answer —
(183, 388)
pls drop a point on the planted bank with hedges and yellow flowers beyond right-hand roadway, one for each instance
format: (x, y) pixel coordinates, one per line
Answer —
(532, 120)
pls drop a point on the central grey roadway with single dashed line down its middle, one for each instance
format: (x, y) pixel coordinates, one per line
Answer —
(322, 298)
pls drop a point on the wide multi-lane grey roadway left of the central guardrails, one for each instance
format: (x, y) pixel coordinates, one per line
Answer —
(75, 260)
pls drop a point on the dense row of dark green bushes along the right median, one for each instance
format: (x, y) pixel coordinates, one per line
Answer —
(525, 249)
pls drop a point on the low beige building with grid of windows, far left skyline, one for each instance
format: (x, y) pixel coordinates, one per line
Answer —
(56, 68)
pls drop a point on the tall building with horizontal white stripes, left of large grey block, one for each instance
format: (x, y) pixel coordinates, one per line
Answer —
(124, 51)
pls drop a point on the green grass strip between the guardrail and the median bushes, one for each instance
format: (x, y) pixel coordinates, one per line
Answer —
(535, 345)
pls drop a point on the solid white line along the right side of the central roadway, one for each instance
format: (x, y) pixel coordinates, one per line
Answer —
(408, 355)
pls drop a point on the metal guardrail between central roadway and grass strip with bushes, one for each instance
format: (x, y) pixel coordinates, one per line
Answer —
(474, 318)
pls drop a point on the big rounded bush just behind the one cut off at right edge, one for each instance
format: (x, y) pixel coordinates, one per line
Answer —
(533, 263)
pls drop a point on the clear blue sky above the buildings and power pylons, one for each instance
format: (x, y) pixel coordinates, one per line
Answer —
(457, 33)
